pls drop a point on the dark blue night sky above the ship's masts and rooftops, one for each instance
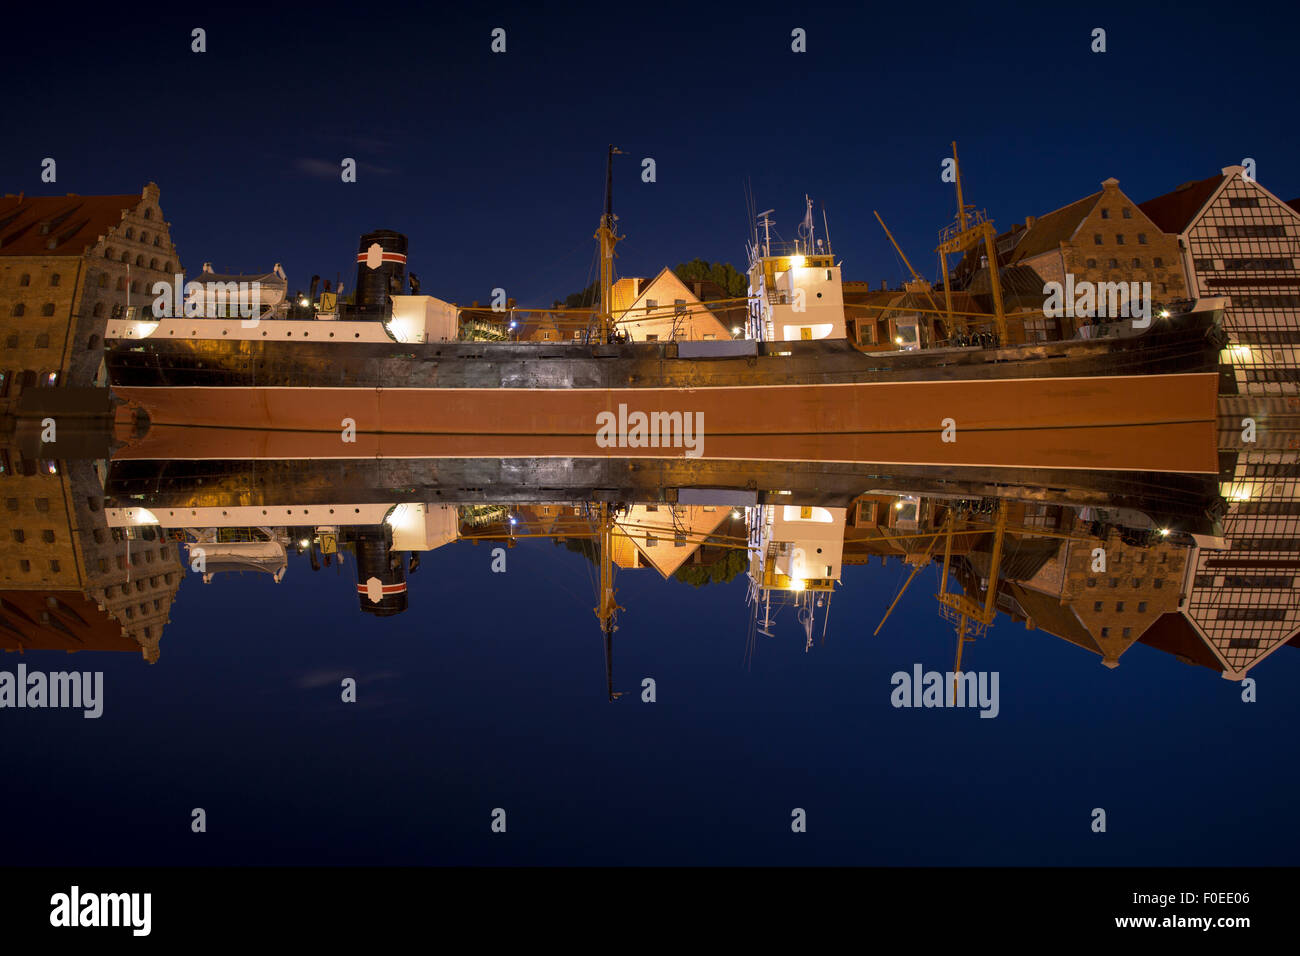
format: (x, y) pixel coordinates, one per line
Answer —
(493, 165)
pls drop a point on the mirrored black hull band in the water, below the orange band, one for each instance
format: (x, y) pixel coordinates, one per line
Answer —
(1189, 503)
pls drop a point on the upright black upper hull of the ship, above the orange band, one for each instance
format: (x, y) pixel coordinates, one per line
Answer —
(1185, 344)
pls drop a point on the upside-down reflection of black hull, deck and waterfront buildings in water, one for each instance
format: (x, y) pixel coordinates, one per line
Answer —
(1201, 568)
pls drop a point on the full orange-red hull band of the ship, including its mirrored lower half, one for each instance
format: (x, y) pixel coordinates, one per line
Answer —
(1132, 423)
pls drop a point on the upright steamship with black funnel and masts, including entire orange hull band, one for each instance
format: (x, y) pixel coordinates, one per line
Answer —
(800, 382)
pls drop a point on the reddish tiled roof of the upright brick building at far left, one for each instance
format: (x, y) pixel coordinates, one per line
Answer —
(58, 226)
